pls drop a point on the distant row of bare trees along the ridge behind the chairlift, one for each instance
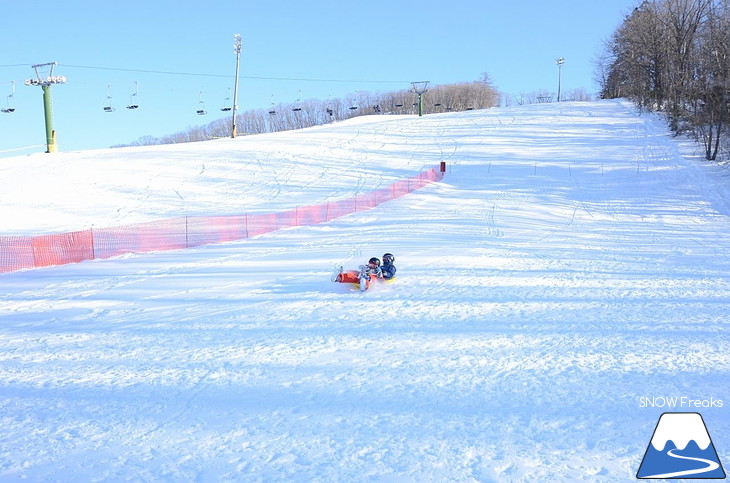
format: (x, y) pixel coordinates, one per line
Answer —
(479, 94)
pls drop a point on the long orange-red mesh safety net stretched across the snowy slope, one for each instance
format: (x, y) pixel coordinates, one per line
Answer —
(21, 252)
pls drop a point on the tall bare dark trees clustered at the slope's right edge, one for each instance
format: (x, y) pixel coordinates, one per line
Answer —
(673, 56)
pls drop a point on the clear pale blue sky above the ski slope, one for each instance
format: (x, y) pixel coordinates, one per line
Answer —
(181, 53)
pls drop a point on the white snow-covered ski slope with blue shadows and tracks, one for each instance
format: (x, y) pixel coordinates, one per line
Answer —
(573, 265)
